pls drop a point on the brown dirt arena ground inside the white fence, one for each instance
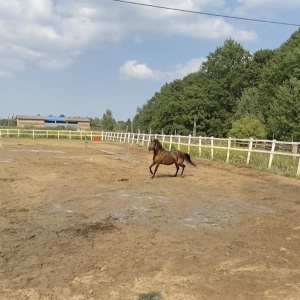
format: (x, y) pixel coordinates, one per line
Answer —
(79, 223)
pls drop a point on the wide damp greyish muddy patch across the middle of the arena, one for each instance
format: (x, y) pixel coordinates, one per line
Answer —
(213, 214)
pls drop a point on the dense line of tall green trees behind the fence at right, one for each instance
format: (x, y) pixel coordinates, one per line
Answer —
(232, 88)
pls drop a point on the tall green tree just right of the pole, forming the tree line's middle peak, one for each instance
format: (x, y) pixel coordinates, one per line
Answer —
(226, 69)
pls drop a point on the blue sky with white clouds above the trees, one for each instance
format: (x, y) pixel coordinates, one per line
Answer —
(81, 57)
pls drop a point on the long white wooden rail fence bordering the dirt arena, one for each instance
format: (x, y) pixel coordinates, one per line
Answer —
(239, 151)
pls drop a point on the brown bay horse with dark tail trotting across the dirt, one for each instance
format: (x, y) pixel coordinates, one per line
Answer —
(162, 156)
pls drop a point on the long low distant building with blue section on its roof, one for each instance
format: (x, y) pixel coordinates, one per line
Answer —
(52, 121)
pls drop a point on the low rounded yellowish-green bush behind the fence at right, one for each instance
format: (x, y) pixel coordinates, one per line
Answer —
(247, 127)
